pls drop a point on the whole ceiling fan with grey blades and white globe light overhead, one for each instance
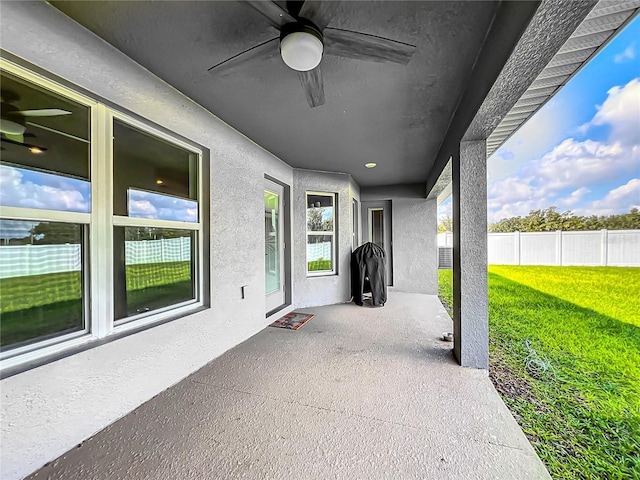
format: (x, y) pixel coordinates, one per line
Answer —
(305, 37)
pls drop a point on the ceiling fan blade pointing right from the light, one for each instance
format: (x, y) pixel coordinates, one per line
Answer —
(362, 46)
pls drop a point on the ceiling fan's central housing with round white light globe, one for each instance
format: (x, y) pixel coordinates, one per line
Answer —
(301, 45)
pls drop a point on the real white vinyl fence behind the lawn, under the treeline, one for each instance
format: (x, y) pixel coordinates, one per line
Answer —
(616, 248)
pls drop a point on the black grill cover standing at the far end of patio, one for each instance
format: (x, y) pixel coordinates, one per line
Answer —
(368, 273)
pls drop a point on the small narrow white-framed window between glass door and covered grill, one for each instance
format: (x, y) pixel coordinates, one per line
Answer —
(321, 233)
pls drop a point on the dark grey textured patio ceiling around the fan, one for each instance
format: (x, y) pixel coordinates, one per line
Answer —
(394, 115)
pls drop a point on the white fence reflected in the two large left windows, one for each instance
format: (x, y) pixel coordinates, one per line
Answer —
(25, 260)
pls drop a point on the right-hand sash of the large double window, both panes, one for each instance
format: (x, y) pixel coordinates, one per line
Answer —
(155, 261)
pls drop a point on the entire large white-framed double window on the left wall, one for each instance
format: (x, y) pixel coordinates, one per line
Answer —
(96, 236)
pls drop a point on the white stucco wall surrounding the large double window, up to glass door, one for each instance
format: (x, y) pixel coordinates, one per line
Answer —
(50, 409)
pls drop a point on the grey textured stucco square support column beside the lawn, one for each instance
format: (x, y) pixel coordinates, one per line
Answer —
(470, 295)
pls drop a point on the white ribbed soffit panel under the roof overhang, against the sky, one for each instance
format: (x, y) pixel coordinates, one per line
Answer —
(602, 23)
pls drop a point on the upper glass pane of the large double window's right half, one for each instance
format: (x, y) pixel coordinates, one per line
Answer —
(144, 164)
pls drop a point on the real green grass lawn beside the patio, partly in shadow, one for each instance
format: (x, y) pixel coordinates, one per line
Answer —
(583, 414)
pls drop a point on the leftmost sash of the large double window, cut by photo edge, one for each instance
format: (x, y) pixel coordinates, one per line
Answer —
(45, 202)
